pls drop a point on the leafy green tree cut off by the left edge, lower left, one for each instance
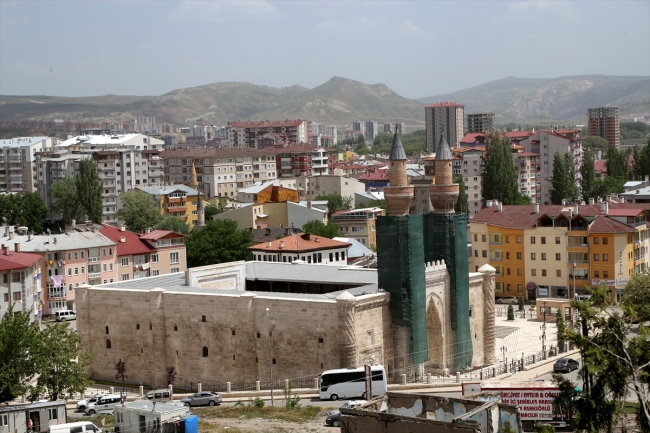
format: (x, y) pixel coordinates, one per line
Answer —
(19, 340)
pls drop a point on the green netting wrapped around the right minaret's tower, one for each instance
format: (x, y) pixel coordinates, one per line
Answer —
(445, 238)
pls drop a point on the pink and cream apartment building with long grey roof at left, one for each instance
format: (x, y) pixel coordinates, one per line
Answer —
(81, 255)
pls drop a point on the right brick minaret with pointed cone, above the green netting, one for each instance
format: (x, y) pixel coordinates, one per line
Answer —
(444, 193)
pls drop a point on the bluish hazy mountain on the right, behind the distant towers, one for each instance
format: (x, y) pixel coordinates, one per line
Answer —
(560, 98)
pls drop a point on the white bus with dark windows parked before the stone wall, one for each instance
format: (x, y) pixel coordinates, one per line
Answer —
(351, 382)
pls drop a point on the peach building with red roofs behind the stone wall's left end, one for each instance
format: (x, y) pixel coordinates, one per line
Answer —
(138, 256)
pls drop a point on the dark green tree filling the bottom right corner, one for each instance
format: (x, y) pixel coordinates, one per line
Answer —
(616, 358)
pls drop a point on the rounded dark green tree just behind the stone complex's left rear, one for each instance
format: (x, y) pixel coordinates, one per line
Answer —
(219, 241)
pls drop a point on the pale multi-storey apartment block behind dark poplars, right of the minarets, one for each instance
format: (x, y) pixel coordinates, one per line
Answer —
(545, 144)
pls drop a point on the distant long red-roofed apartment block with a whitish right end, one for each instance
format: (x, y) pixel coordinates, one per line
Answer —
(246, 134)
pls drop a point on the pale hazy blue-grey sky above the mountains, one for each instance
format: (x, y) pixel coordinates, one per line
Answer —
(422, 48)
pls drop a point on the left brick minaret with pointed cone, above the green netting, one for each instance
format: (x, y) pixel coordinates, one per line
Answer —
(399, 194)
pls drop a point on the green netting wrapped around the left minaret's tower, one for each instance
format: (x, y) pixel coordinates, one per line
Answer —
(400, 257)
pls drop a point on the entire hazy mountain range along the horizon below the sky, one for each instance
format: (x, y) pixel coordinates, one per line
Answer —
(341, 101)
